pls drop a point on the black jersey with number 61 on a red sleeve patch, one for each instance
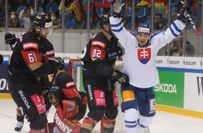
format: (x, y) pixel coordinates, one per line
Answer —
(26, 57)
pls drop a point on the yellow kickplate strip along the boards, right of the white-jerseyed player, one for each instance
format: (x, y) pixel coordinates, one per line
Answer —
(180, 111)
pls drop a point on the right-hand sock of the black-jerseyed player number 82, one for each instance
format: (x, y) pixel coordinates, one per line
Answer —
(108, 125)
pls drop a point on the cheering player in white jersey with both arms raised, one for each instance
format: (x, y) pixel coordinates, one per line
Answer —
(138, 99)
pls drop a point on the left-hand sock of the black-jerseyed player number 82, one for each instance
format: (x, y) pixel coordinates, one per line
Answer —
(88, 125)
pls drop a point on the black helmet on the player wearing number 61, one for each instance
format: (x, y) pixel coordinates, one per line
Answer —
(43, 21)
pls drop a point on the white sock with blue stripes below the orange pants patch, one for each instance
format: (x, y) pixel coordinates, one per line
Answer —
(130, 119)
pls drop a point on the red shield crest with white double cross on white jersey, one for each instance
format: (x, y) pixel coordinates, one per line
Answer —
(144, 55)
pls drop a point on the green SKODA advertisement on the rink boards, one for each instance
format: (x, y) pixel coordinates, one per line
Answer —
(170, 91)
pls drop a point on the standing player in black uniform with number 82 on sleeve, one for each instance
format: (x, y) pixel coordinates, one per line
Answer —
(99, 59)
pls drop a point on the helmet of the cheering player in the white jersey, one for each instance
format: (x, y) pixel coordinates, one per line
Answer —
(144, 28)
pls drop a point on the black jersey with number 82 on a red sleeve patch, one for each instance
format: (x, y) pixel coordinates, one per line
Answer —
(100, 56)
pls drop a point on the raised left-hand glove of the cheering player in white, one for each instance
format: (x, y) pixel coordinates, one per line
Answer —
(118, 8)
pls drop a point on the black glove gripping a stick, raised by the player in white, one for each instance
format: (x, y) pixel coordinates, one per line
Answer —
(184, 12)
